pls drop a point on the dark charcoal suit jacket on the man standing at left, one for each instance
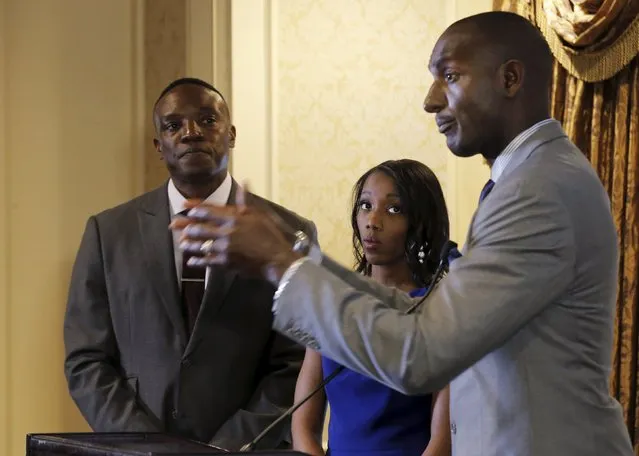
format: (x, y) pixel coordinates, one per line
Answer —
(129, 363)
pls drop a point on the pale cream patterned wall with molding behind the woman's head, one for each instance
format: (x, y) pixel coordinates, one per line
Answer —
(325, 89)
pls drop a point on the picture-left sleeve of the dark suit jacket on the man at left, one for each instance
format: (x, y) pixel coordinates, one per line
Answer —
(101, 392)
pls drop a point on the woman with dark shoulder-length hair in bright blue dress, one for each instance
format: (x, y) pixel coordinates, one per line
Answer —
(400, 224)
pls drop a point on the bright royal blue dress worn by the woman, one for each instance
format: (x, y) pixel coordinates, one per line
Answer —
(368, 418)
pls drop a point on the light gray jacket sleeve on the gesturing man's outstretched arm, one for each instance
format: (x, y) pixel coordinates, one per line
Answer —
(521, 259)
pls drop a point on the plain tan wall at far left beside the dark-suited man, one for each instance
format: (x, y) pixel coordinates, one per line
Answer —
(69, 119)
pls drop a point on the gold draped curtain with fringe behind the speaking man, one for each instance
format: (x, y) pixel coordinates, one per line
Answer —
(602, 119)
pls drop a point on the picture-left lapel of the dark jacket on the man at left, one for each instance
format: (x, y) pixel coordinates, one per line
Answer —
(157, 239)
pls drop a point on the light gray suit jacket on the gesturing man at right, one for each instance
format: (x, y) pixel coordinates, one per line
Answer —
(522, 325)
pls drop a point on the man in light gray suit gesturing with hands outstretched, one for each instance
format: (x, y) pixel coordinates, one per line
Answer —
(522, 324)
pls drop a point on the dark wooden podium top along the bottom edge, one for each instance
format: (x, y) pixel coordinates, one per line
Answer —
(127, 444)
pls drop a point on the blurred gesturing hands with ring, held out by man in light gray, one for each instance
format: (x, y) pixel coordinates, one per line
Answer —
(241, 236)
